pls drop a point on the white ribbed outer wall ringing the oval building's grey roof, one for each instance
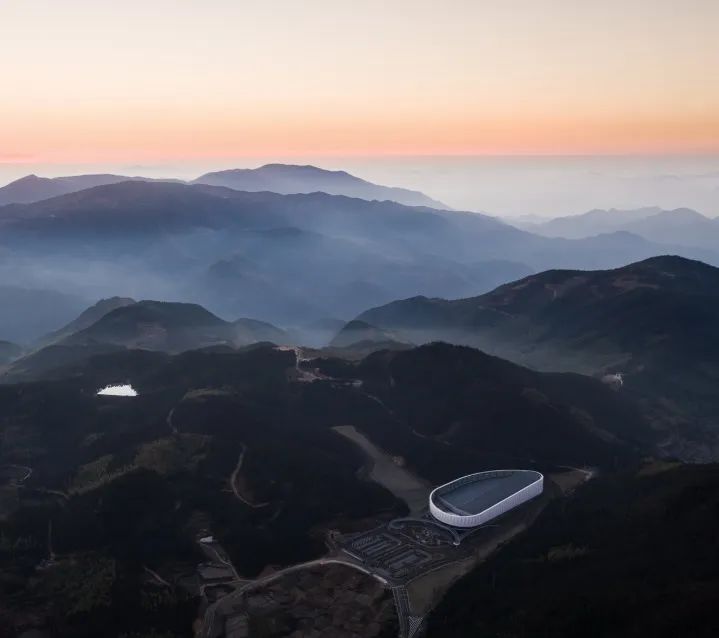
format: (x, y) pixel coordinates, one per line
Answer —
(523, 495)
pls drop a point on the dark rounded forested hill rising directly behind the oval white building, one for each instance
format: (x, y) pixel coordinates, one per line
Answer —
(496, 412)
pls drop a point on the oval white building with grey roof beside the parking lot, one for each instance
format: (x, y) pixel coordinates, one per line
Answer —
(476, 499)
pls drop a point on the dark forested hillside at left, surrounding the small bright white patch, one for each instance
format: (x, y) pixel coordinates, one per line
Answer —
(143, 477)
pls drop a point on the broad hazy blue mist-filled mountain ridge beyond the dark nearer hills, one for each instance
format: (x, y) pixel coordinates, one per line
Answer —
(288, 259)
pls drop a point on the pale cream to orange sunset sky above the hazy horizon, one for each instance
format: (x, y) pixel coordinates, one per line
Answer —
(159, 80)
